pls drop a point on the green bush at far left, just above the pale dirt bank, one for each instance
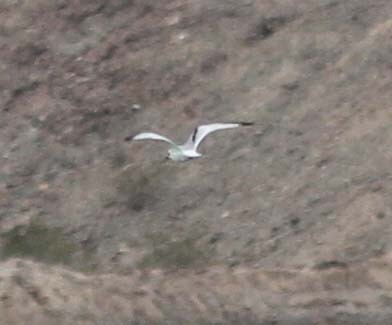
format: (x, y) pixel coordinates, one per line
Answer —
(39, 242)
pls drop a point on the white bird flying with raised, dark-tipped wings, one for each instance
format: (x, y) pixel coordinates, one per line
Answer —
(188, 150)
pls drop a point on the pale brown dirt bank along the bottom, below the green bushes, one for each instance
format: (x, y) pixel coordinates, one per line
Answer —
(358, 294)
